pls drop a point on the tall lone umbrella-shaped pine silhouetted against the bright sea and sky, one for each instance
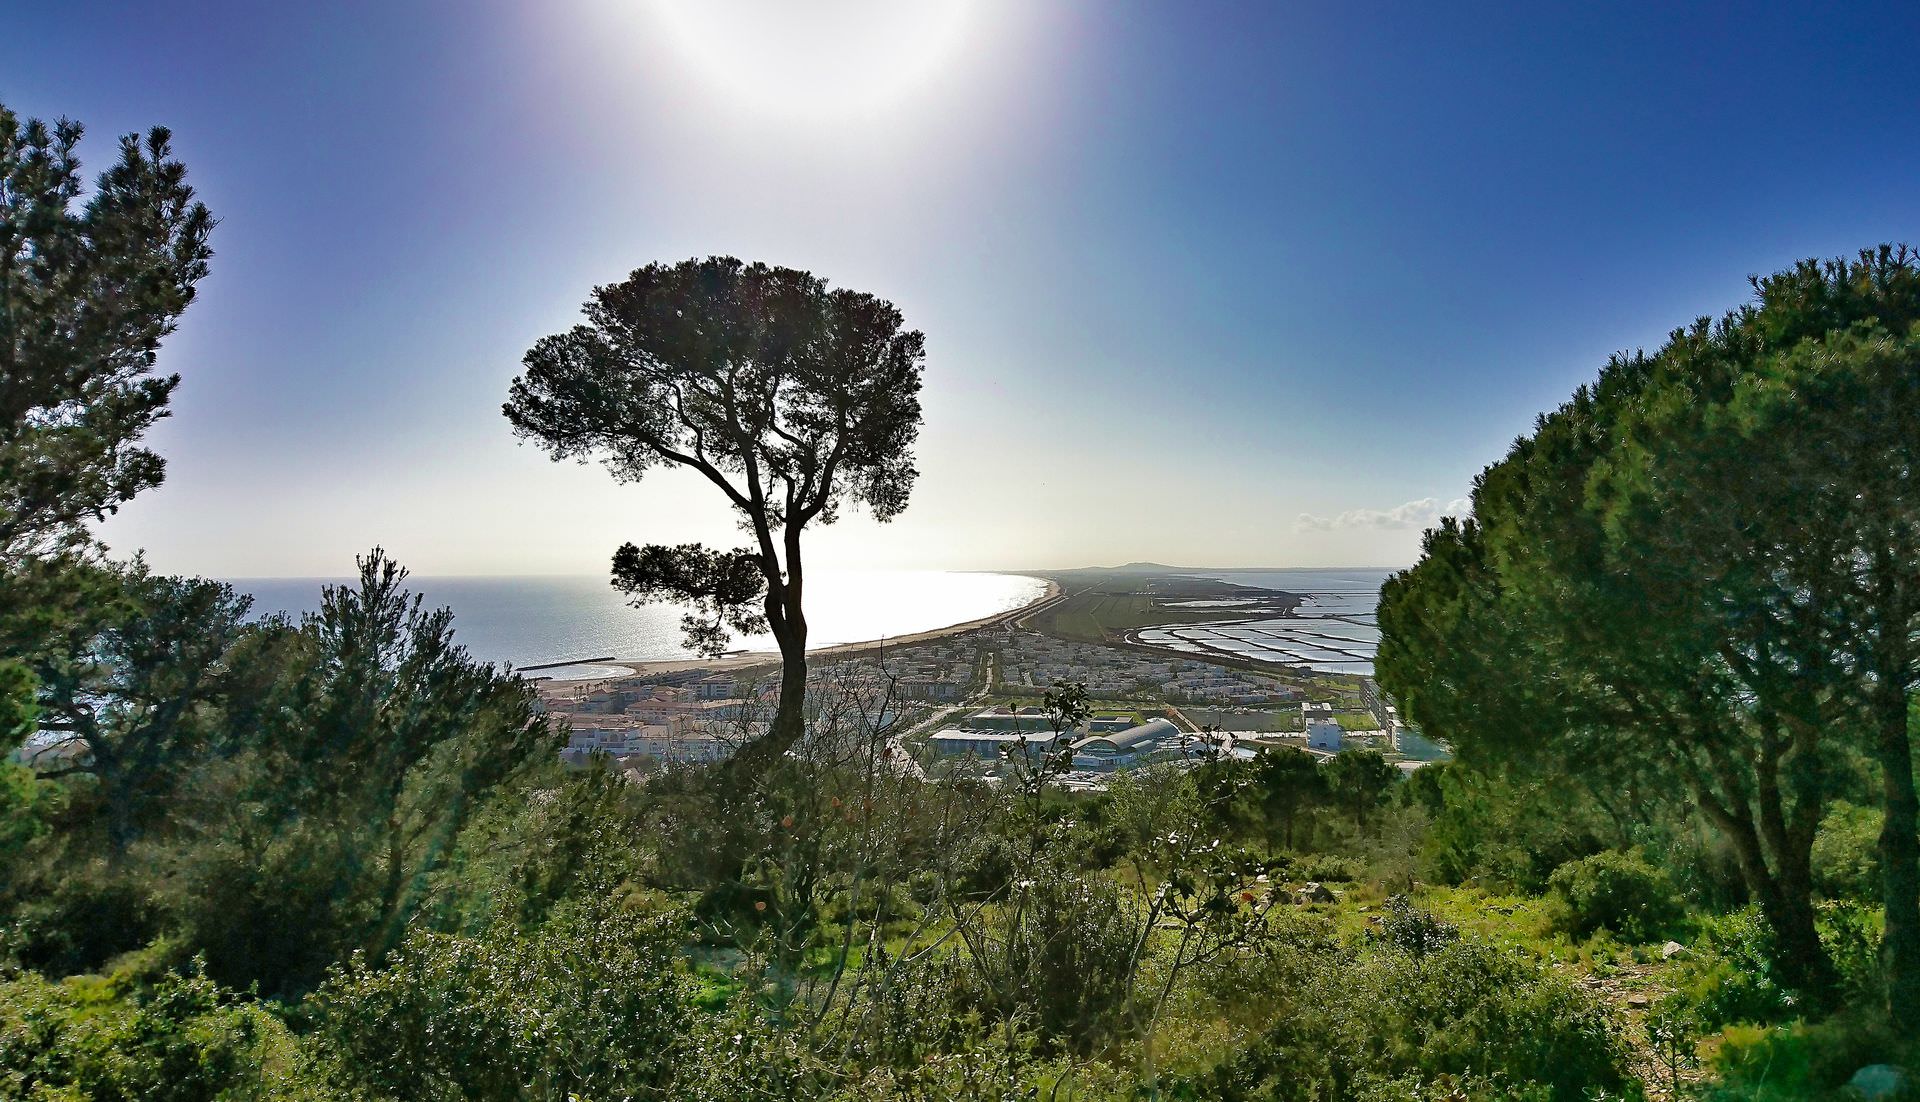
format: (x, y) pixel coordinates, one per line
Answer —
(792, 398)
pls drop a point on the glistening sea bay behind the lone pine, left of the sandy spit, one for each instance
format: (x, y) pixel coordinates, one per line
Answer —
(556, 619)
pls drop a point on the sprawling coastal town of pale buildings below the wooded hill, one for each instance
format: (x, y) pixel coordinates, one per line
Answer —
(972, 702)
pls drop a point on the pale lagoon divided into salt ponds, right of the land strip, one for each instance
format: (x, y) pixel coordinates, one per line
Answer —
(1335, 629)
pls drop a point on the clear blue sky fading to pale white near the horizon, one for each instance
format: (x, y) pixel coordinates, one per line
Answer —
(1203, 283)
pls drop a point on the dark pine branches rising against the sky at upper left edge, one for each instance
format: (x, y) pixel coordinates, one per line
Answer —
(87, 293)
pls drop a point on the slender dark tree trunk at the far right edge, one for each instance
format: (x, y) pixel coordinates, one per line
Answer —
(1900, 857)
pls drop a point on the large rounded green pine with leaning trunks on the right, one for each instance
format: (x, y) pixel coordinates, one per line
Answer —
(1700, 573)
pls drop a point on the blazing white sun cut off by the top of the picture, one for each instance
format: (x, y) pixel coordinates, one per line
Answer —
(817, 60)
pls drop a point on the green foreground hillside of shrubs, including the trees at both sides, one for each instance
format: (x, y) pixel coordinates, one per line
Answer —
(339, 859)
